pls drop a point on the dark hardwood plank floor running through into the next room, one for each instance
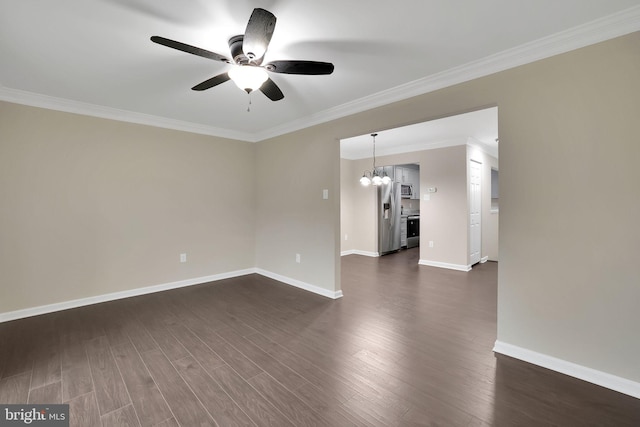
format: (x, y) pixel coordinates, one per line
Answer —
(407, 345)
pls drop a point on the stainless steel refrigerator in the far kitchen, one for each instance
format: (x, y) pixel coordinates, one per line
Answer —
(388, 218)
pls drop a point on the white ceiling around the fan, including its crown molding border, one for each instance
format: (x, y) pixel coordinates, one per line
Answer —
(95, 57)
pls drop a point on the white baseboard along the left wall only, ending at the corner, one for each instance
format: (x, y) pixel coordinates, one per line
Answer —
(50, 308)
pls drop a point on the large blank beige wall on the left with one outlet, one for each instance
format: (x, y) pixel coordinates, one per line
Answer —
(92, 206)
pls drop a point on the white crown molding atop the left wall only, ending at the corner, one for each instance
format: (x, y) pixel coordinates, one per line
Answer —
(69, 106)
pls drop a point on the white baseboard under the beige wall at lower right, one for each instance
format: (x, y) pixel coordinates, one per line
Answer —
(593, 376)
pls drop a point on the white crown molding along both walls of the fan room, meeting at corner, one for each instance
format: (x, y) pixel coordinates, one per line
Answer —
(608, 27)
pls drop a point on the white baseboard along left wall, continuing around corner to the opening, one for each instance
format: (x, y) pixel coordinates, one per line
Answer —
(50, 308)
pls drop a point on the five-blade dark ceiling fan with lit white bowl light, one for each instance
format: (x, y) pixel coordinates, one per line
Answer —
(248, 52)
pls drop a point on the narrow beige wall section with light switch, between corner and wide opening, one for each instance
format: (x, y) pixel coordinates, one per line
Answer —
(291, 215)
